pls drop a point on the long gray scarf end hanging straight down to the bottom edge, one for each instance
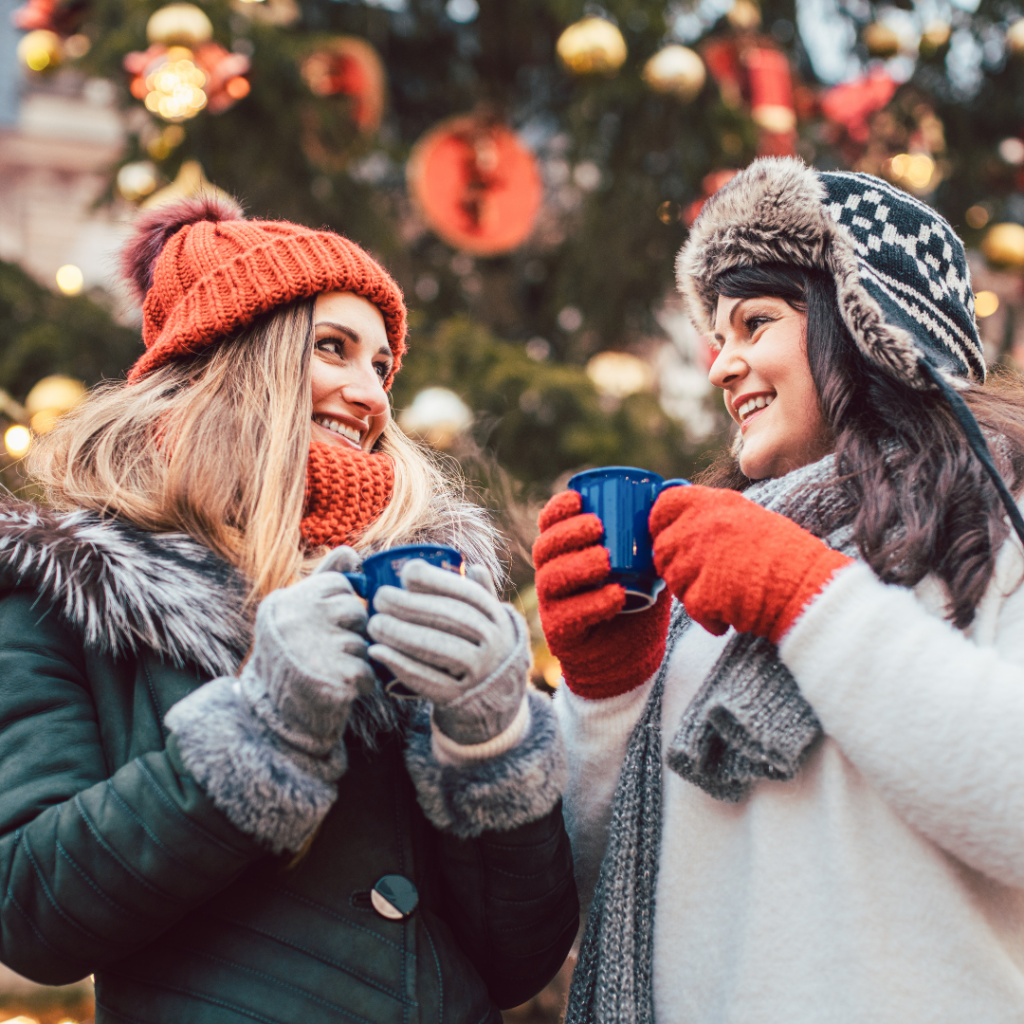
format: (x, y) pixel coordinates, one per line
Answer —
(613, 983)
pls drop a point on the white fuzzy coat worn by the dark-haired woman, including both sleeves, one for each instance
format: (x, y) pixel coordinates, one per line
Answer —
(886, 883)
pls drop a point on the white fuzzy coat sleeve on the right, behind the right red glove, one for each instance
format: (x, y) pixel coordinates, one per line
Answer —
(931, 719)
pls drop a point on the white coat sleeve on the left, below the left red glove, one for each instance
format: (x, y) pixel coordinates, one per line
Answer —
(596, 735)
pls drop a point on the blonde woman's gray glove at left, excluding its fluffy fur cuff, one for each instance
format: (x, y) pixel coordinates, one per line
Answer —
(309, 662)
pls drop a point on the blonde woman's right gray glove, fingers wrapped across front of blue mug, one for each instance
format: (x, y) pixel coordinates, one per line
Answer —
(450, 641)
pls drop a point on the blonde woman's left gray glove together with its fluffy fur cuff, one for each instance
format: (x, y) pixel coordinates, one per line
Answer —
(268, 747)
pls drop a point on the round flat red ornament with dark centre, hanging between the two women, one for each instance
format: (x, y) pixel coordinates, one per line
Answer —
(477, 185)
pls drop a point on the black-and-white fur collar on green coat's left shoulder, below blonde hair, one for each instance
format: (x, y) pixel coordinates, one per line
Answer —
(126, 590)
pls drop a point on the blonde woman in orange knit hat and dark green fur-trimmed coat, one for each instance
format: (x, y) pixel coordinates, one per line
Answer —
(205, 798)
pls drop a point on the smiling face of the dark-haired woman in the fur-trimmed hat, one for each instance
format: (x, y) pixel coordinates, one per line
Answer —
(763, 371)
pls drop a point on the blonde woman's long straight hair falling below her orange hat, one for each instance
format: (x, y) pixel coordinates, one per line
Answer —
(217, 447)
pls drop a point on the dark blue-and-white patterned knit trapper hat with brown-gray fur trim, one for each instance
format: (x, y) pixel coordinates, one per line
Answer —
(902, 275)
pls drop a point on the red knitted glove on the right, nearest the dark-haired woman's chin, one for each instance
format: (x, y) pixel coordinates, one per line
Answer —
(735, 564)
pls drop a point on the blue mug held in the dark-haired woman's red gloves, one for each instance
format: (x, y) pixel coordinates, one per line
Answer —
(622, 498)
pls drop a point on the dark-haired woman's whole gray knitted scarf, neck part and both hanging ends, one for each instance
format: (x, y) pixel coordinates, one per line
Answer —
(749, 721)
